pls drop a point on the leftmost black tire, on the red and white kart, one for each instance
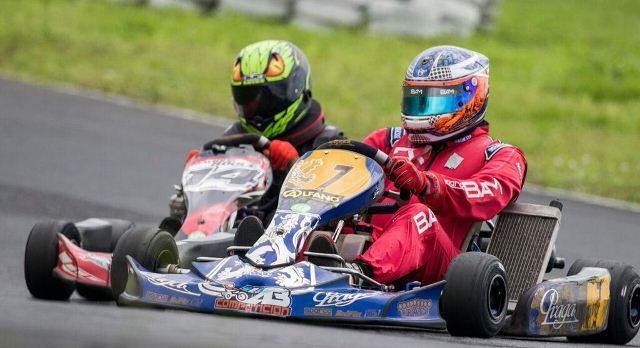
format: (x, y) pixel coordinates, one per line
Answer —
(41, 258)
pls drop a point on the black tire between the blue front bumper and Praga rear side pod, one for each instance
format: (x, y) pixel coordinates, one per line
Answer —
(474, 298)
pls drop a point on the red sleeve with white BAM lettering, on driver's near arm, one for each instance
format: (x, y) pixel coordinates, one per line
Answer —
(486, 193)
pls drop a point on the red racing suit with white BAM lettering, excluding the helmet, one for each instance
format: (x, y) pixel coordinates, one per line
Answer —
(473, 179)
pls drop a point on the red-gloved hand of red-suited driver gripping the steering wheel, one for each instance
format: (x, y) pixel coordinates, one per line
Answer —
(406, 176)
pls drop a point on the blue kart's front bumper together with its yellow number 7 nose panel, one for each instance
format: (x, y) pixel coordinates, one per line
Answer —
(323, 186)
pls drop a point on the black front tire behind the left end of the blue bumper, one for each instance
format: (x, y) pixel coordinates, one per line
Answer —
(152, 247)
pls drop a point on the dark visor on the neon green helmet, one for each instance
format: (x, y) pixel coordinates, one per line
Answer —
(263, 101)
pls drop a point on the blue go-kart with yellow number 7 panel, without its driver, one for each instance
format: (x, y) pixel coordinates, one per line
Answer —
(339, 184)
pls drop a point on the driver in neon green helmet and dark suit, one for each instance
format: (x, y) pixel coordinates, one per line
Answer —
(271, 89)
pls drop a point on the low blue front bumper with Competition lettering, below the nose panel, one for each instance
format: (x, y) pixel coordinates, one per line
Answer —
(302, 291)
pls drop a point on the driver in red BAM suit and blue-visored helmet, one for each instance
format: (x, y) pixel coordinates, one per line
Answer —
(444, 156)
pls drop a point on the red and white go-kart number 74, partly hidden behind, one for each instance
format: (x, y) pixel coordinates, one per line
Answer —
(227, 176)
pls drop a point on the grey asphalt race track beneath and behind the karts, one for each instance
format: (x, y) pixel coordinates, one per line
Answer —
(72, 156)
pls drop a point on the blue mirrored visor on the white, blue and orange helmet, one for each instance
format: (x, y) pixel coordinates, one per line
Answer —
(430, 100)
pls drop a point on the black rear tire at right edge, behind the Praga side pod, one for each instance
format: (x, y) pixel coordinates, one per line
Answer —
(624, 306)
